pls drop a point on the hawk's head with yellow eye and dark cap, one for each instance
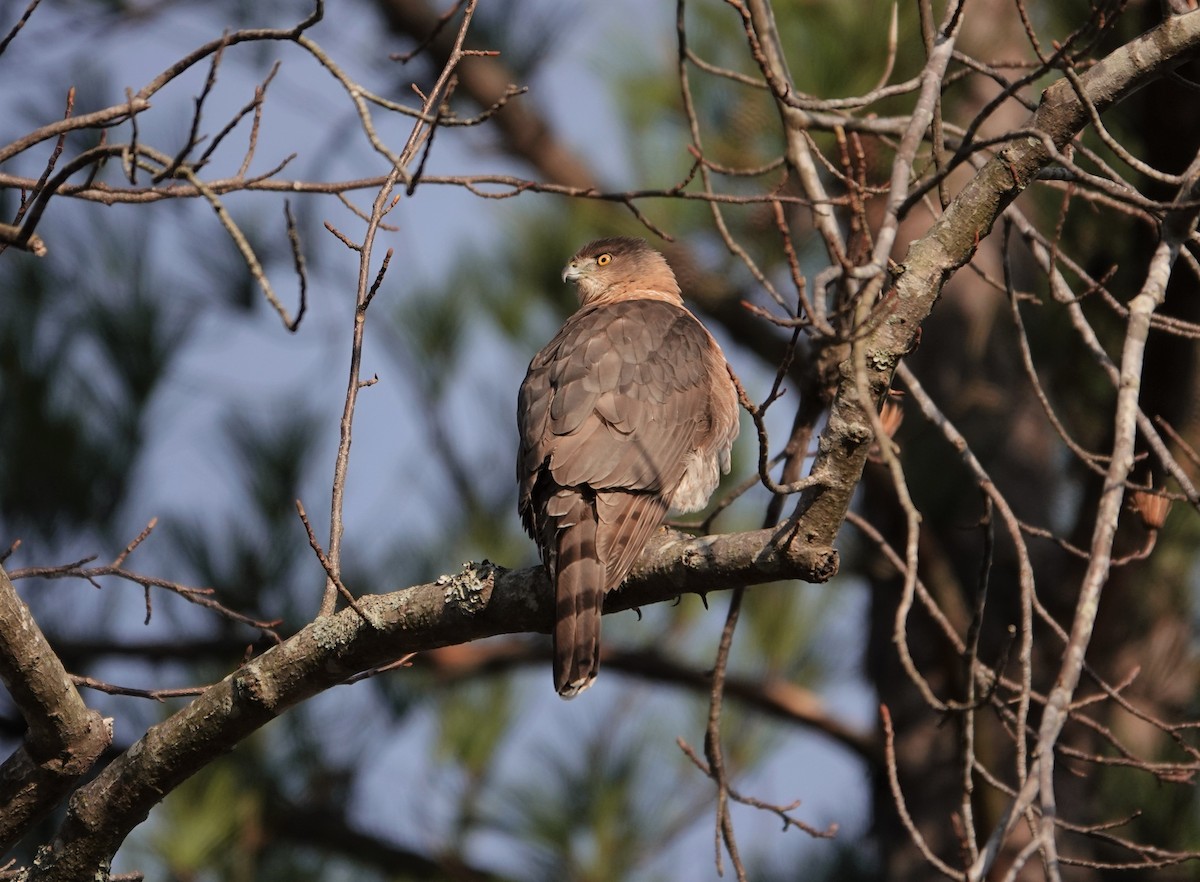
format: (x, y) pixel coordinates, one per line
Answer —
(621, 268)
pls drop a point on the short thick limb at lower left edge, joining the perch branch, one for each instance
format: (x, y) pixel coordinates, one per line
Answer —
(65, 737)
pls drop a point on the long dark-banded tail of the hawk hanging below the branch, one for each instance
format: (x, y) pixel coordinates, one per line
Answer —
(579, 597)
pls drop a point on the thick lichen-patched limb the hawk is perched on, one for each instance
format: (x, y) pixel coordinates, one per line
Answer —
(481, 602)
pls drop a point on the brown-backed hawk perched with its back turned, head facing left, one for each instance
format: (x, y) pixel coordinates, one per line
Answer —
(629, 412)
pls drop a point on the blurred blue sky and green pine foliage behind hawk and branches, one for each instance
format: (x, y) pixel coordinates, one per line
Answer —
(142, 375)
